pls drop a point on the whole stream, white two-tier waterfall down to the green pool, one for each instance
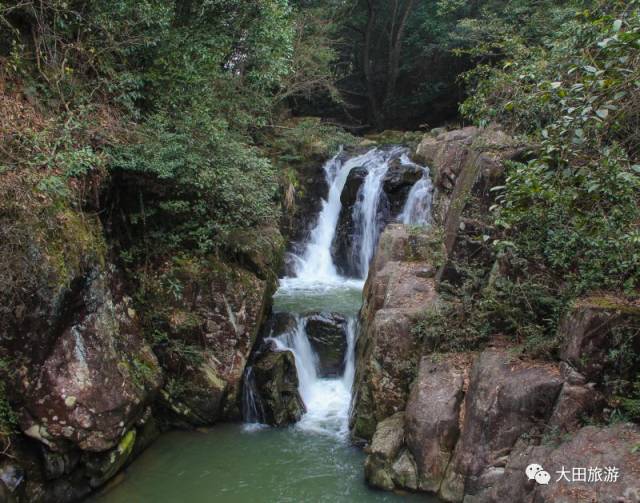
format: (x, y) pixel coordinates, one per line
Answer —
(313, 460)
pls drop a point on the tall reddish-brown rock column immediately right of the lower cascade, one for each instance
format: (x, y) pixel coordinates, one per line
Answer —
(396, 293)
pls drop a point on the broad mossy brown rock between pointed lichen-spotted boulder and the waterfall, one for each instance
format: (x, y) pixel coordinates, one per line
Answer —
(211, 326)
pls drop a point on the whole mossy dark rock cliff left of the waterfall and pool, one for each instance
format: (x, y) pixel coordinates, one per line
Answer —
(95, 366)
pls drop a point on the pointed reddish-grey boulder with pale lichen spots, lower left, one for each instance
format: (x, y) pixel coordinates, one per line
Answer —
(98, 377)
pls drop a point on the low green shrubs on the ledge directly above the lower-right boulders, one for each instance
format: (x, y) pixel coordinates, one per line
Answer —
(522, 307)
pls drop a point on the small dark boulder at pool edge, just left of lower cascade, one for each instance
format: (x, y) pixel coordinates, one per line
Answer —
(276, 382)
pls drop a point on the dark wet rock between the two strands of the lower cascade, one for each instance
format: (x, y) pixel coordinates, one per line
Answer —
(327, 334)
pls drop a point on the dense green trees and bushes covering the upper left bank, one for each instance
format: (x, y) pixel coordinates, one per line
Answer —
(169, 97)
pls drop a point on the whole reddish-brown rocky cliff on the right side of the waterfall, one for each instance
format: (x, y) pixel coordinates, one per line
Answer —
(465, 422)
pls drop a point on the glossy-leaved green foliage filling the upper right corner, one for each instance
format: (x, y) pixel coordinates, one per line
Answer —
(573, 209)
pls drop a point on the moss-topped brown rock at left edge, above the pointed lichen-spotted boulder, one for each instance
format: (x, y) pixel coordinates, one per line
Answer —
(46, 253)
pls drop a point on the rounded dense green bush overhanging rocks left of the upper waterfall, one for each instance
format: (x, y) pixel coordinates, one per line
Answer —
(218, 182)
